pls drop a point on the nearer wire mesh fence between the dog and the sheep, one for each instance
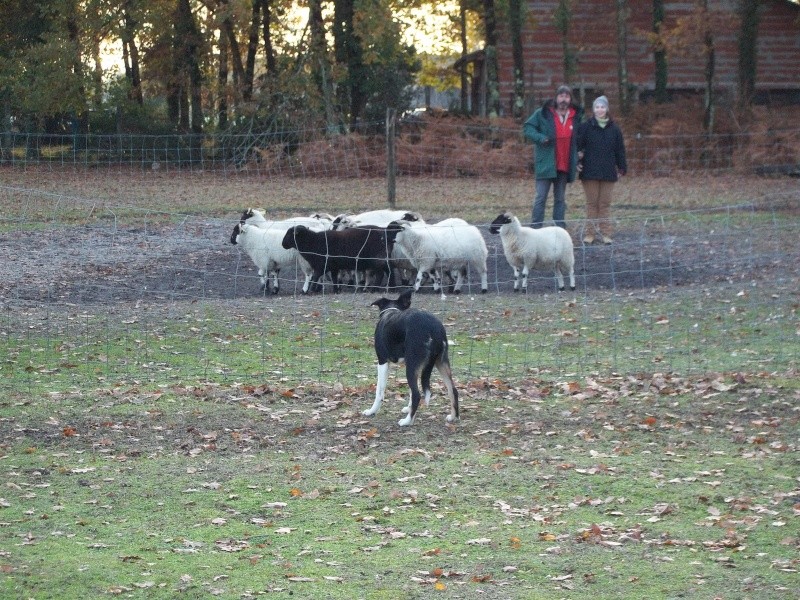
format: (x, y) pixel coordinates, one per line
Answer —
(99, 296)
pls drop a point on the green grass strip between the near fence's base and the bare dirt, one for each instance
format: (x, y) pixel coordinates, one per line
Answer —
(325, 340)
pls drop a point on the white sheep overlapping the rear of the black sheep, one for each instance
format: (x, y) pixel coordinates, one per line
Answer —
(451, 246)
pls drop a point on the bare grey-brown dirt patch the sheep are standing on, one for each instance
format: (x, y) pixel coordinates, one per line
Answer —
(106, 264)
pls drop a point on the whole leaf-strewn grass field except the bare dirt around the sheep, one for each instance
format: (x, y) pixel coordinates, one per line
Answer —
(612, 445)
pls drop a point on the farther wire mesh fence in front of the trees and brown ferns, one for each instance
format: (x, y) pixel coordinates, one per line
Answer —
(434, 147)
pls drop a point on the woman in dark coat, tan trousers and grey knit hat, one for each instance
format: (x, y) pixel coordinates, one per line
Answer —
(602, 153)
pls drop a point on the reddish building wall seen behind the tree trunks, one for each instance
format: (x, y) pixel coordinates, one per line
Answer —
(593, 37)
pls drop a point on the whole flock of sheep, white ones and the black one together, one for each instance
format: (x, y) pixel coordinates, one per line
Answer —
(387, 248)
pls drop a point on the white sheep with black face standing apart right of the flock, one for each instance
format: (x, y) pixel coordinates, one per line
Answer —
(527, 249)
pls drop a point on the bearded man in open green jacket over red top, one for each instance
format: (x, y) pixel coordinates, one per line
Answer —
(555, 156)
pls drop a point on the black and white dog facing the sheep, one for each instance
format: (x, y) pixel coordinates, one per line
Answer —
(418, 338)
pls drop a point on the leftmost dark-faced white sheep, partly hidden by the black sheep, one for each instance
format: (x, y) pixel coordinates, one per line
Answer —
(263, 246)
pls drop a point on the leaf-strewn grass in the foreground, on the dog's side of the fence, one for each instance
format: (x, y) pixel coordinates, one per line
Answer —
(610, 487)
